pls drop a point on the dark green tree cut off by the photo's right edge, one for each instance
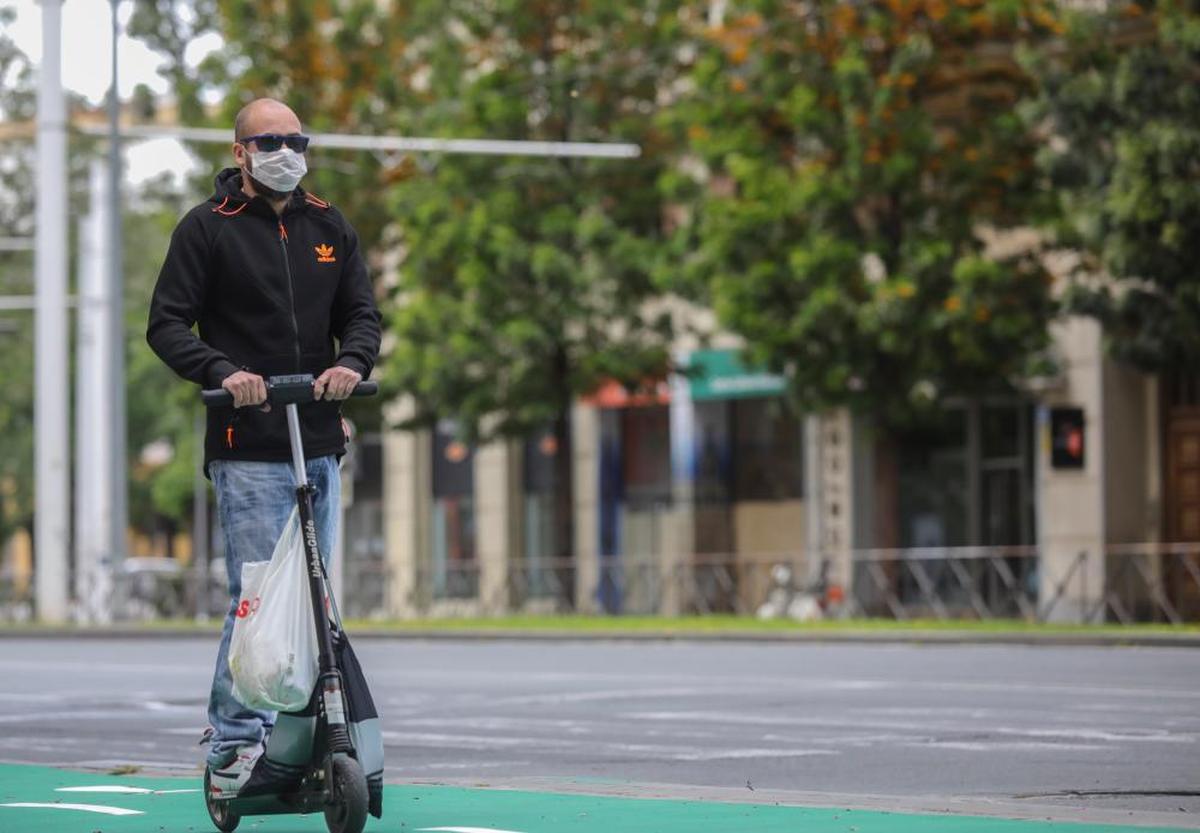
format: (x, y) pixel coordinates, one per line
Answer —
(1121, 100)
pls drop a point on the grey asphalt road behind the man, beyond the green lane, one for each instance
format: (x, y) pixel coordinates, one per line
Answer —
(1105, 727)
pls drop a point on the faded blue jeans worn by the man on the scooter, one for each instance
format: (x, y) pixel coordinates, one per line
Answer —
(254, 502)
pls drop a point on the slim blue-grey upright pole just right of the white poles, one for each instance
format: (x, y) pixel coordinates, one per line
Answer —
(118, 464)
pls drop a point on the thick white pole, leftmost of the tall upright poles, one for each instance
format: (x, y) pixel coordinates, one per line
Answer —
(51, 329)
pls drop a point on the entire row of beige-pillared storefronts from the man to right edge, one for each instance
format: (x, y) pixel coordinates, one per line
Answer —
(1060, 501)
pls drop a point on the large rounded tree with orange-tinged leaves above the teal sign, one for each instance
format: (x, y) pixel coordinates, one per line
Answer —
(853, 163)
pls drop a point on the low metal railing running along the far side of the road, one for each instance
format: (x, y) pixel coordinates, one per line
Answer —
(1143, 583)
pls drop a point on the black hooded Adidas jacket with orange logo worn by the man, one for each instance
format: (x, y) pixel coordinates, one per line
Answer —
(272, 295)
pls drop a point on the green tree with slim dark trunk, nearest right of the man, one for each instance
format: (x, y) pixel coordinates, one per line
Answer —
(526, 281)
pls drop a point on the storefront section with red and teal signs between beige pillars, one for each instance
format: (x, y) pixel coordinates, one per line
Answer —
(676, 484)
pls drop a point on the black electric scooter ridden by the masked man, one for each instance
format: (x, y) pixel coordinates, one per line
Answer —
(310, 763)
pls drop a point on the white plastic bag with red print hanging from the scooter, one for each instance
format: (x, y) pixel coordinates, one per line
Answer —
(273, 654)
